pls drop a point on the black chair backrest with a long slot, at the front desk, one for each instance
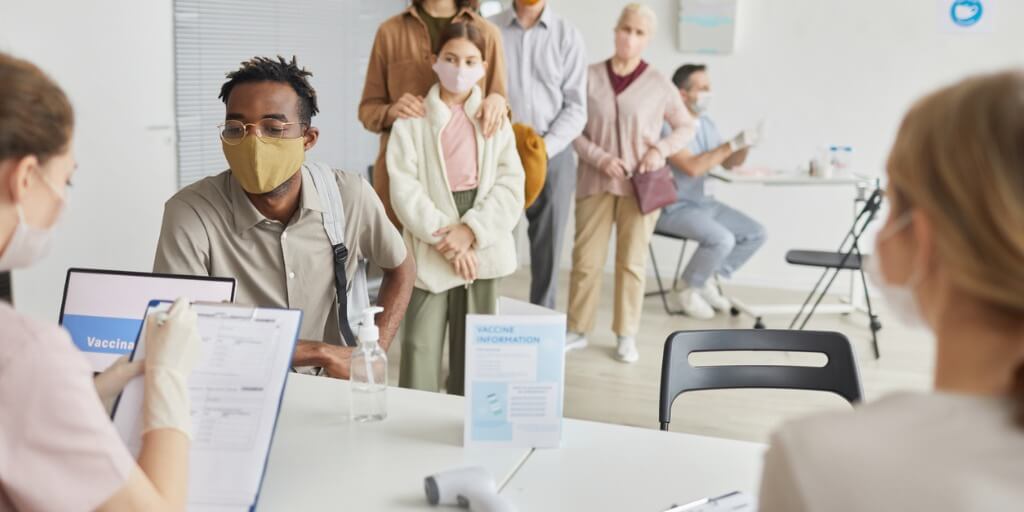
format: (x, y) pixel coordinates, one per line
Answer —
(839, 376)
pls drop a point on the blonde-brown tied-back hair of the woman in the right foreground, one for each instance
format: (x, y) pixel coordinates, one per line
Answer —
(959, 158)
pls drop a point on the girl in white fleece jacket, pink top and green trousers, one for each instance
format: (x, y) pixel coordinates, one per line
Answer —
(458, 196)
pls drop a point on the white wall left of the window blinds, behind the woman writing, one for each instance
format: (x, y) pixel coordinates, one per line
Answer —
(115, 60)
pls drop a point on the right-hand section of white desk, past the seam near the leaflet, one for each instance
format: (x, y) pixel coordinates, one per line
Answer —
(605, 467)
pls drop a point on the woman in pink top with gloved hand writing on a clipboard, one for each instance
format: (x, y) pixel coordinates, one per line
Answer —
(59, 450)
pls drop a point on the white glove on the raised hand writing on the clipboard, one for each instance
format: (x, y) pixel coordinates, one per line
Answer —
(173, 350)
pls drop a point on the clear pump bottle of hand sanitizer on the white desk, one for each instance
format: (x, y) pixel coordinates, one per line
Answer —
(369, 373)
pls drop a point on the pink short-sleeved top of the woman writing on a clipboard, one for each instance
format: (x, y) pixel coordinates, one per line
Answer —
(59, 450)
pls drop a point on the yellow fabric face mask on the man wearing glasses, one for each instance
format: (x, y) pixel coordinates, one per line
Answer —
(262, 165)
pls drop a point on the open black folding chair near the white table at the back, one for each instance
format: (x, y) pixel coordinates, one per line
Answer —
(847, 258)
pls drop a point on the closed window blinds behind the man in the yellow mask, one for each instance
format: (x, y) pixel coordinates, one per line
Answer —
(331, 38)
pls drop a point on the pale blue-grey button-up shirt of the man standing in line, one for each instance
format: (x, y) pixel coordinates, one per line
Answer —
(547, 76)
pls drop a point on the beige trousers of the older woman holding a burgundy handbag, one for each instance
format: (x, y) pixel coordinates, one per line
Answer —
(594, 218)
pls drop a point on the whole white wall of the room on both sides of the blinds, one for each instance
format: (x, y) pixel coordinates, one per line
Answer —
(821, 71)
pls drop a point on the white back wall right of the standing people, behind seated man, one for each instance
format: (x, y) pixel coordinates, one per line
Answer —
(822, 72)
